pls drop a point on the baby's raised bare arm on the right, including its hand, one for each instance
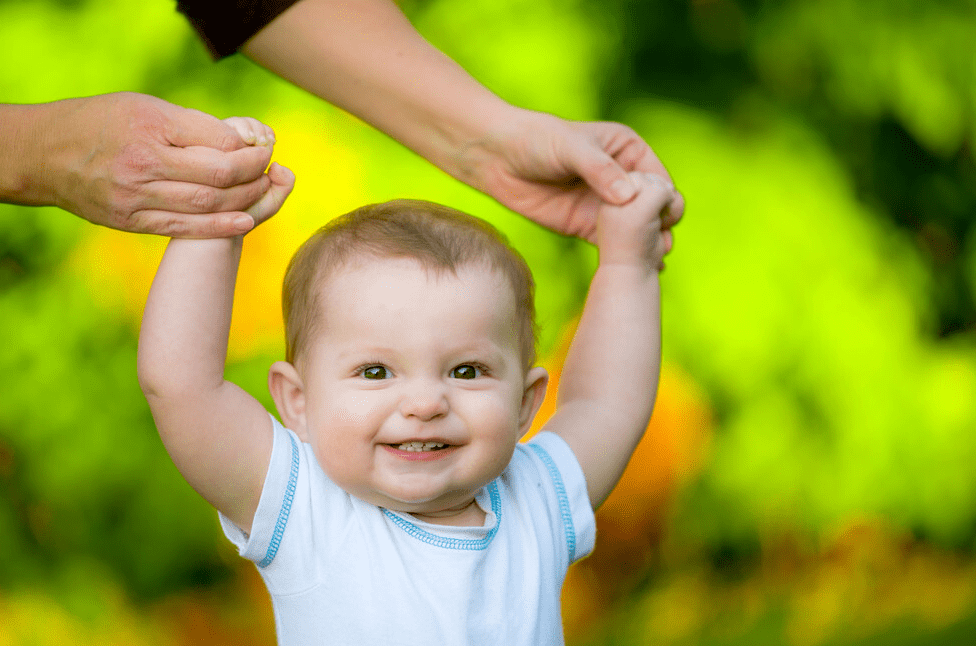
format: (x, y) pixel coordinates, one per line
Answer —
(609, 382)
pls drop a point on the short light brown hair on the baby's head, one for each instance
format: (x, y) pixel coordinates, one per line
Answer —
(438, 237)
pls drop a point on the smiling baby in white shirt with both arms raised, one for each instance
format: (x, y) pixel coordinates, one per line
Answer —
(394, 503)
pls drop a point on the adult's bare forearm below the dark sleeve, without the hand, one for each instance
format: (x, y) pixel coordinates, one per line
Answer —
(365, 57)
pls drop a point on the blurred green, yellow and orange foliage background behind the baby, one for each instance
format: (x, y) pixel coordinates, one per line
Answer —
(809, 478)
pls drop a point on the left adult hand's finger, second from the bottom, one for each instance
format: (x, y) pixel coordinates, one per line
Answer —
(184, 197)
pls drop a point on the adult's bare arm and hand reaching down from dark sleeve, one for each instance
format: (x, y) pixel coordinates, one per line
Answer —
(365, 57)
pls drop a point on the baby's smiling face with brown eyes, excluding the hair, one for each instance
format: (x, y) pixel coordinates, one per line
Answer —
(415, 393)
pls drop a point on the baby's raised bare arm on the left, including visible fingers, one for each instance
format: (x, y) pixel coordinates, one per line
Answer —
(218, 436)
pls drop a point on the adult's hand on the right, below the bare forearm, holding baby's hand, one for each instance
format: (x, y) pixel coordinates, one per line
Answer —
(557, 172)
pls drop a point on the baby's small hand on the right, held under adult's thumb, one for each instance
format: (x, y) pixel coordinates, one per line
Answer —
(633, 233)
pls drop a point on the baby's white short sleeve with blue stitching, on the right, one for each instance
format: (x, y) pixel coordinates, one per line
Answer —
(575, 510)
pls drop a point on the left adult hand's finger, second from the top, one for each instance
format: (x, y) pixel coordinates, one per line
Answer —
(209, 167)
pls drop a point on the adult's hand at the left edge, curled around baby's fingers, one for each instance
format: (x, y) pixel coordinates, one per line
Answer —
(136, 163)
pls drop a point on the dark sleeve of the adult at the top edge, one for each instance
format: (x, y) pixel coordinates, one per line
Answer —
(225, 25)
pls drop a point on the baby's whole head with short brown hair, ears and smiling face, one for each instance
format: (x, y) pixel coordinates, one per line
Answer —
(410, 344)
